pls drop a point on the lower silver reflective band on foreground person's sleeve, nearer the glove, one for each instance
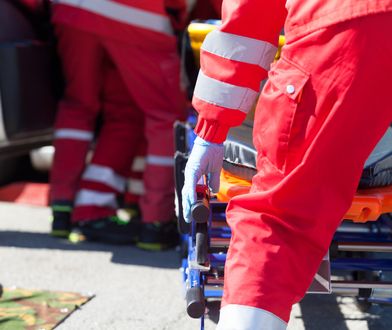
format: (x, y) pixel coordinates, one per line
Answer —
(223, 94)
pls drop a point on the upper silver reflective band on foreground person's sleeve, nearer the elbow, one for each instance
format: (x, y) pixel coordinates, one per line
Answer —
(239, 48)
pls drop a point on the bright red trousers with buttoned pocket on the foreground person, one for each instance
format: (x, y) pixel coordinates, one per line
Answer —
(324, 108)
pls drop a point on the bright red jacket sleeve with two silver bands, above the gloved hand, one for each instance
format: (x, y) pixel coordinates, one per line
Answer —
(234, 60)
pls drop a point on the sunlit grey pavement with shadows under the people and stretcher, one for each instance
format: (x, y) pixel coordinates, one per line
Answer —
(134, 289)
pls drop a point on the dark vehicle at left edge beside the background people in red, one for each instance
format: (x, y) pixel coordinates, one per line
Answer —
(29, 78)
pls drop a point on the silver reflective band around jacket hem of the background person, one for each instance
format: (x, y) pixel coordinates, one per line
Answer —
(125, 14)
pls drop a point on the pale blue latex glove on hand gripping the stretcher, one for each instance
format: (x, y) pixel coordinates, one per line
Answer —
(205, 158)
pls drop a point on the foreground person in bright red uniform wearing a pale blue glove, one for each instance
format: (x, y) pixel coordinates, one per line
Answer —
(318, 117)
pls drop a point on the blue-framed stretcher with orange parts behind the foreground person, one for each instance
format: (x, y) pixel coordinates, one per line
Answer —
(359, 255)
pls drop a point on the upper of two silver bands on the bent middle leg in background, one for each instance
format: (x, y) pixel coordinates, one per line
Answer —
(105, 175)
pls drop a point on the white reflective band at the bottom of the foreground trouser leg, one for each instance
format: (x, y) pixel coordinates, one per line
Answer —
(241, 317)
